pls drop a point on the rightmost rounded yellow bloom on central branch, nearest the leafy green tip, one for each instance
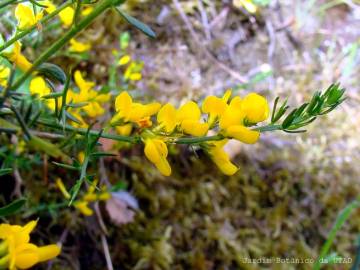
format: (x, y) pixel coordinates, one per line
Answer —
(252, 109)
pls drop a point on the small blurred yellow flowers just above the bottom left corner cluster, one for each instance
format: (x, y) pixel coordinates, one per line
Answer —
(89, 197)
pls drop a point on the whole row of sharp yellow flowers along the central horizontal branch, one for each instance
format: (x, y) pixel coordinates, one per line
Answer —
(229, 118)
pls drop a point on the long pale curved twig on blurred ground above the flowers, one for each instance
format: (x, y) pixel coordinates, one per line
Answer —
(196, 39)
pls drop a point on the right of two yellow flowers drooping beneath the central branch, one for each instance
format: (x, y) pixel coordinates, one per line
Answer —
(221, 158)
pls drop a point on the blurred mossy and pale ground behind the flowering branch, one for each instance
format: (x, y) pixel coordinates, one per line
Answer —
(290, 187)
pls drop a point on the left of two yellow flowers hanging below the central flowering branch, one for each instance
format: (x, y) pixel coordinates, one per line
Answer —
(156, 151)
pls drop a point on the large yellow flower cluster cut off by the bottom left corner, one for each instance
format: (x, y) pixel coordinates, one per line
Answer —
(16, 251)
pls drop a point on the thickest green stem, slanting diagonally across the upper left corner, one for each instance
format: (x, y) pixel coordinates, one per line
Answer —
(99, 9)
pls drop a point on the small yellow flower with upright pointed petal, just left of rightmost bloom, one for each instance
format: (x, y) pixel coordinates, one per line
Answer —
(215, 106)
